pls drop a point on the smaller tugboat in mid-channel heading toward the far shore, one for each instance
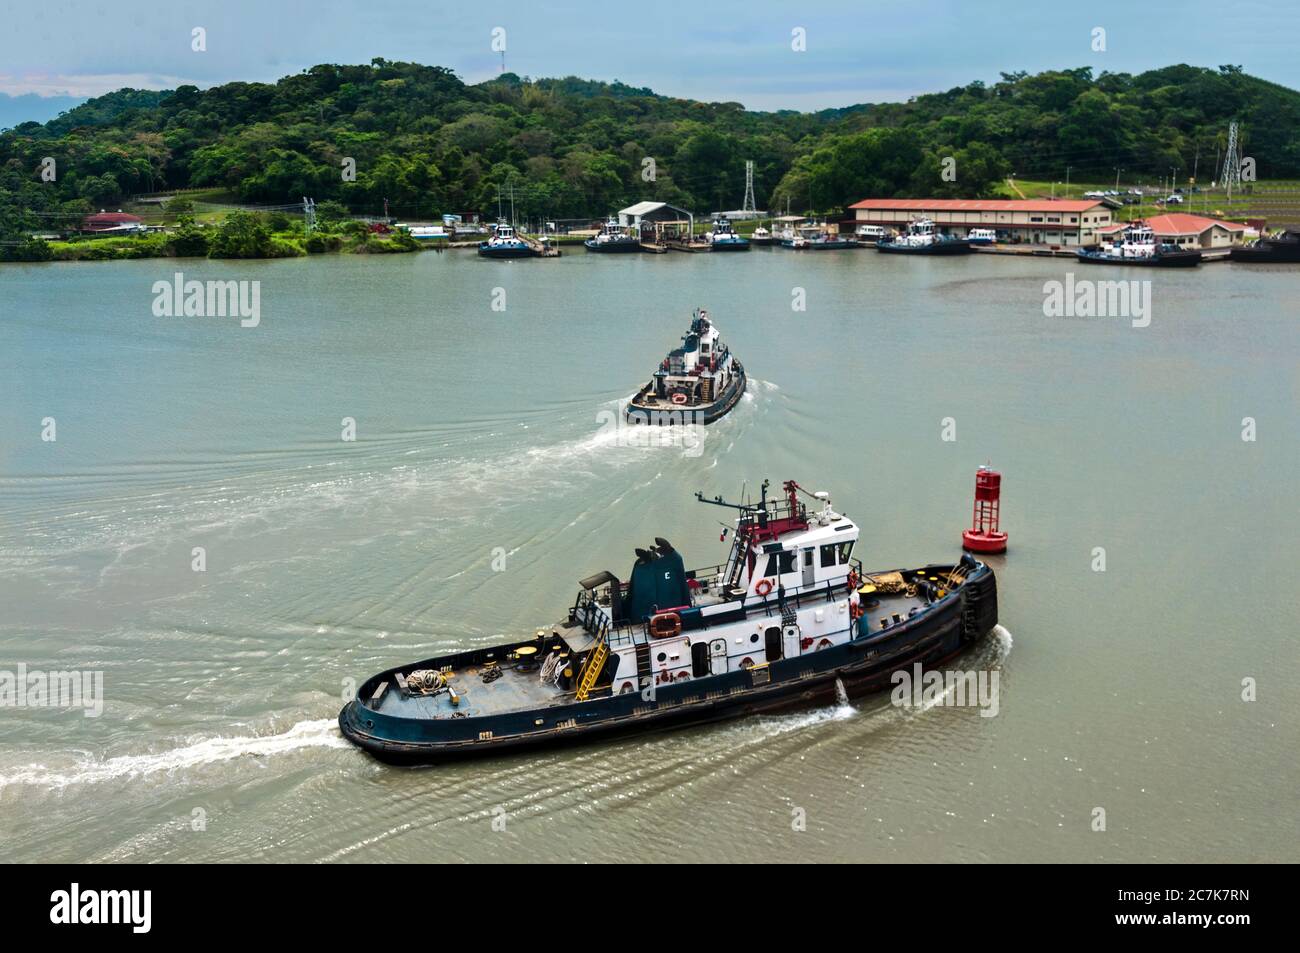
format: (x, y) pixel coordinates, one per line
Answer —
(696, 384)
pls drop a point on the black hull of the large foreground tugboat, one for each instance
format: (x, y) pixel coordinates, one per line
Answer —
(864, 666)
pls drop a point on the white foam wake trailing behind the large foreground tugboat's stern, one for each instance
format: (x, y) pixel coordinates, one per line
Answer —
(315, 734)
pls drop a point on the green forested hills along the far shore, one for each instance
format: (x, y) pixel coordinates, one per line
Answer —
(430, 144)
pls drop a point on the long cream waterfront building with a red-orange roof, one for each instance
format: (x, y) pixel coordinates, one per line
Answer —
(1041, 222)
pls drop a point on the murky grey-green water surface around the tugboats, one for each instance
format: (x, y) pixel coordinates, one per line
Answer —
(482, 431)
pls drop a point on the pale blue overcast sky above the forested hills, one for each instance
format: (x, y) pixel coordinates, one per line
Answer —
(713, 50)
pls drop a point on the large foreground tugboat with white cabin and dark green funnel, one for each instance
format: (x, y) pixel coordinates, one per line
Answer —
(790, 620)
